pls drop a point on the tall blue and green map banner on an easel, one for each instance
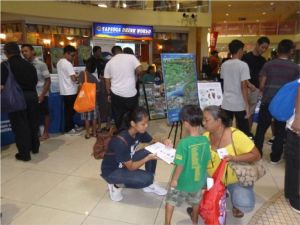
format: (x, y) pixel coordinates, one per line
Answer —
(180, 80)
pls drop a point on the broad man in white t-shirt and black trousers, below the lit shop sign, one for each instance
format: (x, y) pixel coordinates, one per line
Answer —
(120, 82)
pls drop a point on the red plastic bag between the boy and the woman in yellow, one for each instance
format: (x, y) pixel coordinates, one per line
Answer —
(212, 207)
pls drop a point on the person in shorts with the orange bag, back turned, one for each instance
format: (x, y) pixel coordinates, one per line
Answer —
(92, 115)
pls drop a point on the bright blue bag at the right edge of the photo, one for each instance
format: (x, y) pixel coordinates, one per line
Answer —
(282, 104)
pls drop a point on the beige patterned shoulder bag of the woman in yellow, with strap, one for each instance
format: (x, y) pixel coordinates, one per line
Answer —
(247, 173)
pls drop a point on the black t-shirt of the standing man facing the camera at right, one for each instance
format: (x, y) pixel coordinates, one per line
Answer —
(255, 64)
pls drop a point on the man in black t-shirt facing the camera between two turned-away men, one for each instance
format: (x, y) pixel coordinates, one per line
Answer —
(255, 62)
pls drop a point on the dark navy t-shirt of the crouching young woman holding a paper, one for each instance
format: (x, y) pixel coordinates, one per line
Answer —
(122, 152)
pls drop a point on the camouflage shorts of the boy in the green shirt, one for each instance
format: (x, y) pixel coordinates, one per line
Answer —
(176, 198)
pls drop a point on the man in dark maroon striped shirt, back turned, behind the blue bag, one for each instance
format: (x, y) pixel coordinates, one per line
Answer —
(273, 76)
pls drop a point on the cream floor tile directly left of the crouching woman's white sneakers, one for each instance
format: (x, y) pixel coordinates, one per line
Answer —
(75, 194)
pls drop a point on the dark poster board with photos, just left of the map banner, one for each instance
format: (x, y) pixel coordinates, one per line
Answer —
(153, 99)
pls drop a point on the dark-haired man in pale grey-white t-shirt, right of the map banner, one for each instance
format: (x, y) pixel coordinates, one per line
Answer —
(235, 74)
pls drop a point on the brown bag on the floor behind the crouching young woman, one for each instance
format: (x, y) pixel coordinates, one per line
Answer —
(101, 146)
